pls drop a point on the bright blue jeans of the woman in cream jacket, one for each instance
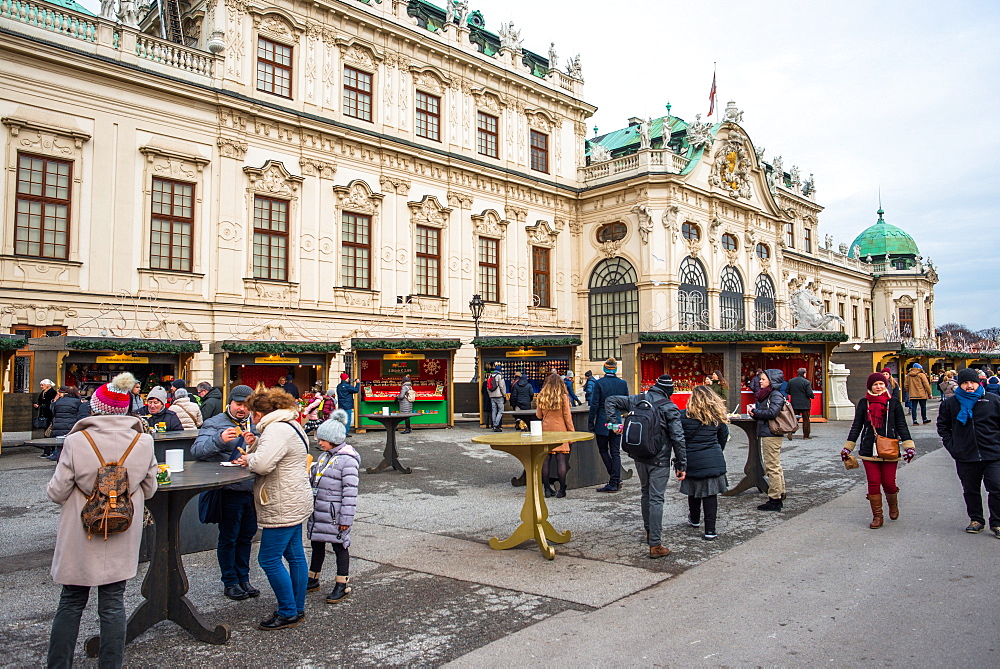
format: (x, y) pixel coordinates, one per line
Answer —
(289, 585)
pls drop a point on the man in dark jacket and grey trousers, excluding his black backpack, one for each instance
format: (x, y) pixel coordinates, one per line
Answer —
(654, 473)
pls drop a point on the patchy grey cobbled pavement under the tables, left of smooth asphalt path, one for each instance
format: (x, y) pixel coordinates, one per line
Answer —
(427, 588)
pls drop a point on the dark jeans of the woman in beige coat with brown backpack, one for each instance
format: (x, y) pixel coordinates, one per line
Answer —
(66, 624)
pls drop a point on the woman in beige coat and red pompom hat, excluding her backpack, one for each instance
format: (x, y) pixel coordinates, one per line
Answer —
(81, 562)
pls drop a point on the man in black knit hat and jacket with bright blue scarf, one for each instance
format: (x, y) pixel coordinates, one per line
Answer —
(969, 426)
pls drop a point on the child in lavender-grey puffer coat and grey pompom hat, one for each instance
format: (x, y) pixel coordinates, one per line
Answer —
(334, 478)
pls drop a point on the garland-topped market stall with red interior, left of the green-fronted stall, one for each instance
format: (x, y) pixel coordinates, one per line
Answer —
(255, 363)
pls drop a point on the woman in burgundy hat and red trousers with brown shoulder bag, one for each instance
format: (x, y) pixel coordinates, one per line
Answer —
(880, 428)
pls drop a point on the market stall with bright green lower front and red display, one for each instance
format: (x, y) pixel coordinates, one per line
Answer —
(381, 365)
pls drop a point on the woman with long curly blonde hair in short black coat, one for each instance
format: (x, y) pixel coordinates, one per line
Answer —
(705, 433)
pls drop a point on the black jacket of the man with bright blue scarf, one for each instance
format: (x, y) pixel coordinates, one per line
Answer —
(979, 439)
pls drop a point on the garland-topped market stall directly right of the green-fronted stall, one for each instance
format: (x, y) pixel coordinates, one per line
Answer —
(534, 357)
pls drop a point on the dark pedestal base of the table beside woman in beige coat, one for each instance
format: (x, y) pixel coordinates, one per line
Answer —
(165, 566)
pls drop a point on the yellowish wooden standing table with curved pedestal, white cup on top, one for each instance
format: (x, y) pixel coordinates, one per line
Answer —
(531, 451)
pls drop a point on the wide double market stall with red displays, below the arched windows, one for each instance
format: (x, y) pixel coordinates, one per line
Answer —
(690, 357)
